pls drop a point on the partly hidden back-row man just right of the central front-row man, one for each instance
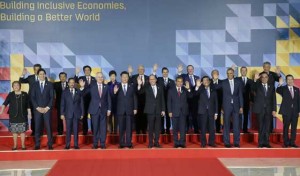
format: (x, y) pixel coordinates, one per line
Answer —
(166, 83)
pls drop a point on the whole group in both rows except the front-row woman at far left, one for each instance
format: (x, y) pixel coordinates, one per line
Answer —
(152, 103)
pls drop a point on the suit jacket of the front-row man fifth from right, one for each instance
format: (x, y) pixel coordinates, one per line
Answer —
(177, 104)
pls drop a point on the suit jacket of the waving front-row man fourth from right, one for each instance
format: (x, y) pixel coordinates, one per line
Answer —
(205, 103)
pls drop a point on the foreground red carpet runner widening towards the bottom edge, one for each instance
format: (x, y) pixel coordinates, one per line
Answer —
(137, 167)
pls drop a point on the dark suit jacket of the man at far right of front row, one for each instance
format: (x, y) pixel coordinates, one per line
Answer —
(289, 104)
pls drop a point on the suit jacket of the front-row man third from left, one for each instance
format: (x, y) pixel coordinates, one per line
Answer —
(71, 107)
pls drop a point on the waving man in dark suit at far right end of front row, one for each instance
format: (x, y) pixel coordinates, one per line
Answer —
(290, 109)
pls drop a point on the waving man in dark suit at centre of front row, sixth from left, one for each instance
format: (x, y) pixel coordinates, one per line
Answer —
(154, 108)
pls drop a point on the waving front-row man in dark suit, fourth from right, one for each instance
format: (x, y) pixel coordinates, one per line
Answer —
(207, 110)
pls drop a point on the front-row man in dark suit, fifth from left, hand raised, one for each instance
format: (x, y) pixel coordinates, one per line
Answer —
(127, 107)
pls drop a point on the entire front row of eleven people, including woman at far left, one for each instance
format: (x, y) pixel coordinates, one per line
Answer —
(72, 108)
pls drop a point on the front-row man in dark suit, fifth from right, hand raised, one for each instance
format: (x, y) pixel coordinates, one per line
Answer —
(178, 110)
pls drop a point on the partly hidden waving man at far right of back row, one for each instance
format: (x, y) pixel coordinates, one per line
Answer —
(273, 77)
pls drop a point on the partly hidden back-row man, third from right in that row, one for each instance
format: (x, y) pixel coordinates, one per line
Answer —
(215, 83)
